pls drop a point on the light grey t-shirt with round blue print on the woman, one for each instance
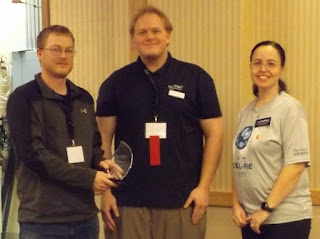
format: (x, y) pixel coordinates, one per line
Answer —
(269, 138)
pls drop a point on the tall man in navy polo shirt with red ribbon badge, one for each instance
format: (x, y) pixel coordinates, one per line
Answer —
(162, 108)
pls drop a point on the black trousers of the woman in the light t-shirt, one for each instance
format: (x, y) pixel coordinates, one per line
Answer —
(290, 230)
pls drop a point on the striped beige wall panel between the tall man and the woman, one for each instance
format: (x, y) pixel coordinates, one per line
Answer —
(207, 33)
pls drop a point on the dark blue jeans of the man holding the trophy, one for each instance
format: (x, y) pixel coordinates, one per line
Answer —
(88, 229)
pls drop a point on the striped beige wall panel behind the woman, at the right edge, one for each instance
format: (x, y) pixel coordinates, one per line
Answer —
(295, 25)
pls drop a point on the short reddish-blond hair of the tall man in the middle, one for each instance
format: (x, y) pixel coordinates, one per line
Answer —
(151, 9)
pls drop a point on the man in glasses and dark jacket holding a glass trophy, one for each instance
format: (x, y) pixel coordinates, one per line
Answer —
(57, 147)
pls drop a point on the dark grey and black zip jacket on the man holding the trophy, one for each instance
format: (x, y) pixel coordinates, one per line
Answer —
(50, 189)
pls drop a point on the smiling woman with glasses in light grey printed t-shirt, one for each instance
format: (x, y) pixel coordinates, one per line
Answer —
(271, 198)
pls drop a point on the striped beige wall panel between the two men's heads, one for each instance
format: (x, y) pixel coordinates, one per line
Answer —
(102, 37)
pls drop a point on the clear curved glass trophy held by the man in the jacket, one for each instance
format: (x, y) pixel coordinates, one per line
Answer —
(124, 158)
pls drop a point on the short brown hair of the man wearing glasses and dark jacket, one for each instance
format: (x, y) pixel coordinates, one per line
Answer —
(57, 29)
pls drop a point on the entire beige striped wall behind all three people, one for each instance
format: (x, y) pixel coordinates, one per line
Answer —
(217, 35)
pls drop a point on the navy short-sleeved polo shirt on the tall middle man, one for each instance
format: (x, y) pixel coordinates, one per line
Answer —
(129, 95)
